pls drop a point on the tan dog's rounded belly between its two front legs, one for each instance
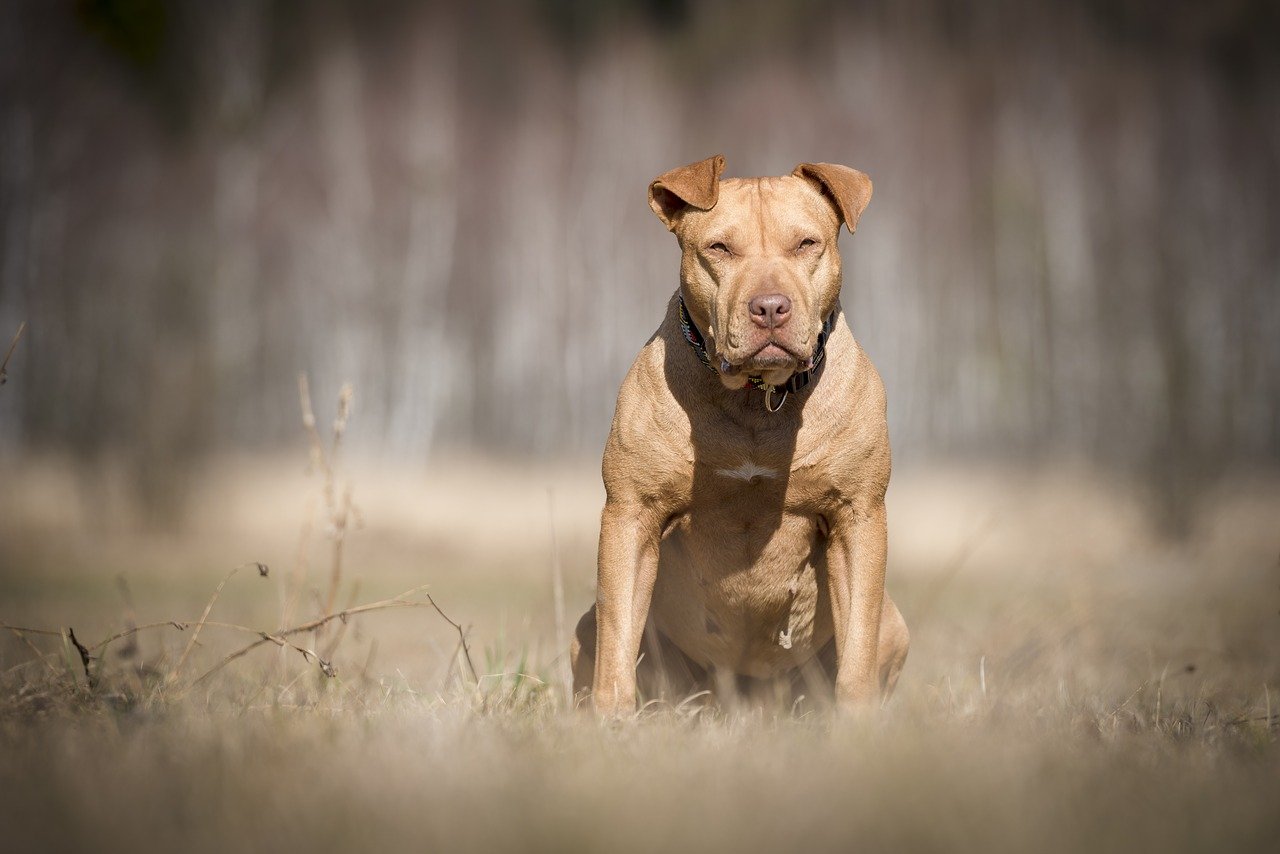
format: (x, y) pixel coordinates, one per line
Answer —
(742, 583)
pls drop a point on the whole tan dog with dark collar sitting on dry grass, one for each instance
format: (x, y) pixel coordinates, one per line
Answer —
(743, 538)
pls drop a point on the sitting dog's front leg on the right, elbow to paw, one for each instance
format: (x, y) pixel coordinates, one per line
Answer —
(856, 579)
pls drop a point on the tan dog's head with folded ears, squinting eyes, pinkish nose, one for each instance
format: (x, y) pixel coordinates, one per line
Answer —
(760, 268)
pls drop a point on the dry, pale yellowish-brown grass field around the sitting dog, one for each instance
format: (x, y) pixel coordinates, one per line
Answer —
(1075, 682)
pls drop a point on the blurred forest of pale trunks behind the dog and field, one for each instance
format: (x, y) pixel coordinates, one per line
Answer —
(1073, 250)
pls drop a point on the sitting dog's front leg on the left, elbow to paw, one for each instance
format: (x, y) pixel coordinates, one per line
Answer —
(630, 533)
